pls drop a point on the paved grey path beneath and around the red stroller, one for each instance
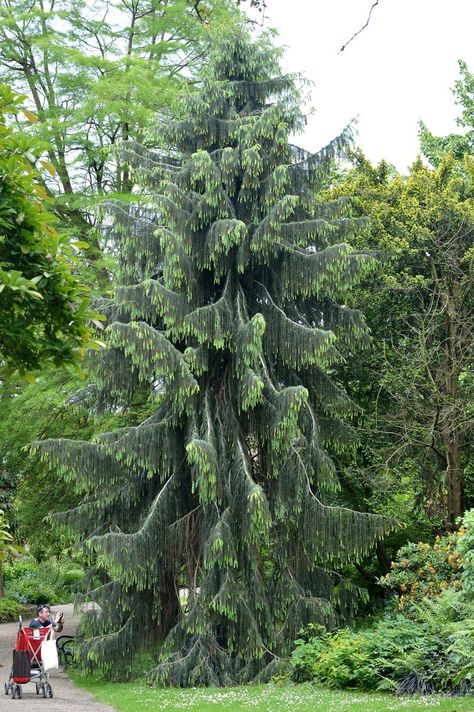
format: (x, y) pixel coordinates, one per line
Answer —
(67, 697)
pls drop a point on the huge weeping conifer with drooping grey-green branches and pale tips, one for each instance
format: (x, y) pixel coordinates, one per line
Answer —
(229, 317)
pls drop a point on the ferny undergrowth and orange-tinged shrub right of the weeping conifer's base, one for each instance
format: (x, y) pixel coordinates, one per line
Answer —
(422, 642)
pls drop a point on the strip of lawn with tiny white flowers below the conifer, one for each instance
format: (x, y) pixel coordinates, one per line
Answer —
(136, 697)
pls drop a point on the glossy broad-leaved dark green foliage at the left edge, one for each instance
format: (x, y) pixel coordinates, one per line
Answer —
(43, 307)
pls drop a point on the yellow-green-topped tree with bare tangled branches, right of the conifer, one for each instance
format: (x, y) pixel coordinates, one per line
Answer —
(416, 385)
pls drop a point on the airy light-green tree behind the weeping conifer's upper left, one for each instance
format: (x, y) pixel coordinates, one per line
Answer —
(96, 75)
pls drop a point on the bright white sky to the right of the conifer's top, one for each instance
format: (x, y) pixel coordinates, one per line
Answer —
(400, 69)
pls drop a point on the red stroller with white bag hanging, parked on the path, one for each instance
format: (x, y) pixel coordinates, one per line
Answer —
(29, 640)
